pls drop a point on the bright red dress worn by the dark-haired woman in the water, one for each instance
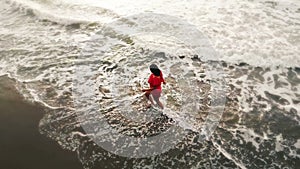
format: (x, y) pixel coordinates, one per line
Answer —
(155, 82)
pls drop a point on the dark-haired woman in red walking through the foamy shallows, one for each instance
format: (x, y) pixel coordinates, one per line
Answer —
(155, 80)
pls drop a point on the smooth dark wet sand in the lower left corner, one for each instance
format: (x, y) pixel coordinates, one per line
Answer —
(21, 144)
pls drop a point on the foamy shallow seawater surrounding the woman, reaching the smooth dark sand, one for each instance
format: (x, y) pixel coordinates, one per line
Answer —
(75, 57)
